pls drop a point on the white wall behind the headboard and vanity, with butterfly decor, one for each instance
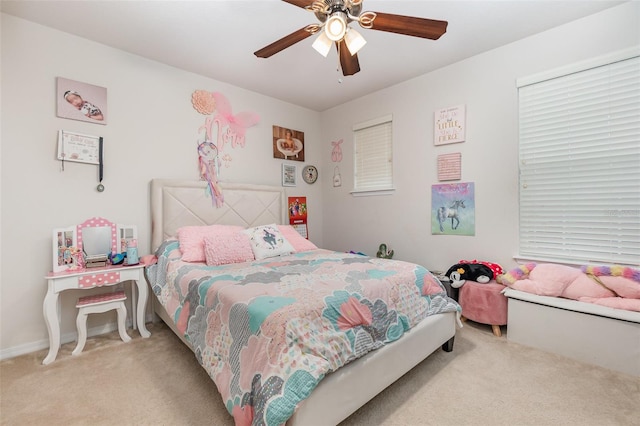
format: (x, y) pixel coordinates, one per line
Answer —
(151, 132)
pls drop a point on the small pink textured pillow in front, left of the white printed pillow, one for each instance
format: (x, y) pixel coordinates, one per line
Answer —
(224, 249)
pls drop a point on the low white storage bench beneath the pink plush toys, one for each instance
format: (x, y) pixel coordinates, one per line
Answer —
(584, 331)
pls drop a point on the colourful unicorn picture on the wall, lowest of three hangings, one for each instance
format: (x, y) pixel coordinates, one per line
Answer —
(453, 209)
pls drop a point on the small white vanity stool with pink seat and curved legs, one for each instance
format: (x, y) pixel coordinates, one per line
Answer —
(98, 304)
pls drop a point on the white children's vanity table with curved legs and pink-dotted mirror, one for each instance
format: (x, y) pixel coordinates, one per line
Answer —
(69, 272)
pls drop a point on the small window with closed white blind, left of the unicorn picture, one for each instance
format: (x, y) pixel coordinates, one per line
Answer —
(373, 159)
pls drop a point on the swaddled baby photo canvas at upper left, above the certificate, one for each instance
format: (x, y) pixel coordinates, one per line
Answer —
(81, 101)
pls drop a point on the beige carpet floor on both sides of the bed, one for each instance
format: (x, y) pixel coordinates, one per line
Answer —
(157, 381)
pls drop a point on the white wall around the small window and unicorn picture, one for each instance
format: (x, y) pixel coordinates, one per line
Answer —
(486, 84)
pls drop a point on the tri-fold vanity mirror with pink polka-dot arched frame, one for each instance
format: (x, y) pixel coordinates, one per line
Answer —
(90, 243)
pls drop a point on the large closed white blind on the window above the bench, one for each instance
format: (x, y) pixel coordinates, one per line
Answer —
(580, 165)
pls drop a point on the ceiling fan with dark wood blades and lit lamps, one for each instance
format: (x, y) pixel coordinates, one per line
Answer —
(335, 16)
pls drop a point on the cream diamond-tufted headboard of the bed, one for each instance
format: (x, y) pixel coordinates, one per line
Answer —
(176, 203)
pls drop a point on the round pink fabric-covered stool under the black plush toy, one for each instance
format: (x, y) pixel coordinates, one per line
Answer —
(484, 303)
